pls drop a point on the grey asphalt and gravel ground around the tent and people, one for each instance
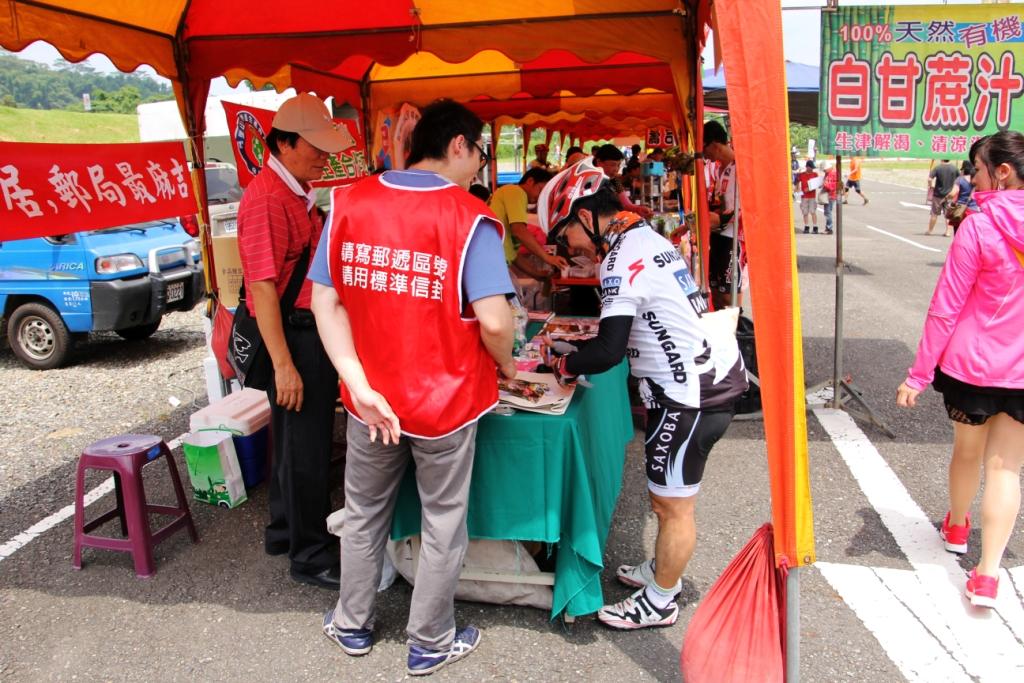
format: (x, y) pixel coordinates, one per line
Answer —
(223, 611)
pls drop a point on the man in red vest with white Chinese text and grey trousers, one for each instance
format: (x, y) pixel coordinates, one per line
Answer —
(410, 296)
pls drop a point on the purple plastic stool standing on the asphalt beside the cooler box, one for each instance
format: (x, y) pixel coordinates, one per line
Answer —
(125, 456)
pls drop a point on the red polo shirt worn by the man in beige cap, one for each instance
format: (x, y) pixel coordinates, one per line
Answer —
(274, 229)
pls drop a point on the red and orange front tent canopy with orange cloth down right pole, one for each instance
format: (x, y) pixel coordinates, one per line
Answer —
(194, 41)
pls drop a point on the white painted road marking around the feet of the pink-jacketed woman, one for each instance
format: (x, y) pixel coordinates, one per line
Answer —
(986, 644)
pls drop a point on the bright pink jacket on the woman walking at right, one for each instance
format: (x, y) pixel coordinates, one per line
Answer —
(975, 325)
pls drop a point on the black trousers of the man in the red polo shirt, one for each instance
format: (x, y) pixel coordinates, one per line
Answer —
(301, 496)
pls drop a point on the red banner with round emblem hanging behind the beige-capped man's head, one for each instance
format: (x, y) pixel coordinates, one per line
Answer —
(249, 127)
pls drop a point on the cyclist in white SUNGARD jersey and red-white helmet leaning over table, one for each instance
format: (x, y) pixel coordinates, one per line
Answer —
(690, 376)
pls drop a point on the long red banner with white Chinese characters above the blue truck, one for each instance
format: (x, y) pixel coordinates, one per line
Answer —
(60, 189)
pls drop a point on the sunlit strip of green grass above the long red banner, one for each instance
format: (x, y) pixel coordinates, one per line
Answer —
(19, 125)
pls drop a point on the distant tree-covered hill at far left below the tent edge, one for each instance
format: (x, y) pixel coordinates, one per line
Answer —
(27, 84)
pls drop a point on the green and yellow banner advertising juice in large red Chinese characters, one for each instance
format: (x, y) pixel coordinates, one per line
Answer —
(921, 81)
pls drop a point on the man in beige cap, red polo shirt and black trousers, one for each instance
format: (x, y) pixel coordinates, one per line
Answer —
(279, 231)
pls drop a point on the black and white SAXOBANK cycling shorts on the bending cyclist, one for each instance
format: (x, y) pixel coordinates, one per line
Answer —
(677, 447)
